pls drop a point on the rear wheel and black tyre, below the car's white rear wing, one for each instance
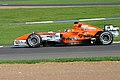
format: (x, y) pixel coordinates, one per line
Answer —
(105, 38)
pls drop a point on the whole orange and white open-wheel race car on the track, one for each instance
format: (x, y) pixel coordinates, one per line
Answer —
(82, 33)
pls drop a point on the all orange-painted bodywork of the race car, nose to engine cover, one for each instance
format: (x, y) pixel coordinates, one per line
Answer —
(80, 33)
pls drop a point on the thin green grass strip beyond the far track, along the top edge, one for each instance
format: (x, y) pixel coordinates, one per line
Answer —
(54, 1)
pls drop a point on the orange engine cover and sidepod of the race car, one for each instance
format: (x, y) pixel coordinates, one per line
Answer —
(80, 33)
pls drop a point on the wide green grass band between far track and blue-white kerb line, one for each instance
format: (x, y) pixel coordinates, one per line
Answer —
(43, 14)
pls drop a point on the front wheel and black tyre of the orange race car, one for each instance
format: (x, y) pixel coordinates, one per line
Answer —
(34, 40)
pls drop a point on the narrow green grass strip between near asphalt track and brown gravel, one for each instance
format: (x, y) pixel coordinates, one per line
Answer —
(92, 59)
